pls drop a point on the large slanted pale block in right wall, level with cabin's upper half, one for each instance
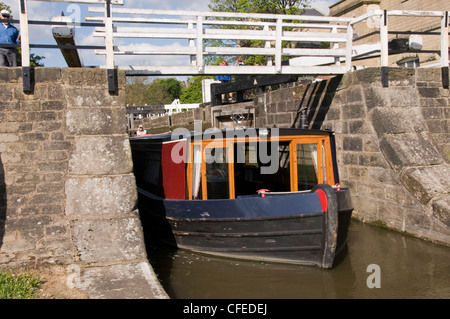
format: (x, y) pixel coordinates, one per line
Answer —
(403, 150)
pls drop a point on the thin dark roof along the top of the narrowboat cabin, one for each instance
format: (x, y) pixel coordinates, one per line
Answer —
(212, 134)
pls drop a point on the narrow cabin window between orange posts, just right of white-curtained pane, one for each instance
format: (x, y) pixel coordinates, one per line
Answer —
(217, 173)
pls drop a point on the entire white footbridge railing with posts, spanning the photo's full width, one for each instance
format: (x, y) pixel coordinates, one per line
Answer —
(195, 33)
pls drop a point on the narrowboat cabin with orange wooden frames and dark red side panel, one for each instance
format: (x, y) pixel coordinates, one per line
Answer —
(231, 163)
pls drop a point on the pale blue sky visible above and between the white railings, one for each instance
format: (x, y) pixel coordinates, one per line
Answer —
(45, 10)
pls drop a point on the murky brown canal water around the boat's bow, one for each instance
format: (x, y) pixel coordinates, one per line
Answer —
(379, 264)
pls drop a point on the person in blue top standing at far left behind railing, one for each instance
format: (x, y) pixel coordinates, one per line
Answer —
(8, 35)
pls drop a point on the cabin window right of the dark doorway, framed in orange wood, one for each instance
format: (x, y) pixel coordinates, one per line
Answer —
(307, 166)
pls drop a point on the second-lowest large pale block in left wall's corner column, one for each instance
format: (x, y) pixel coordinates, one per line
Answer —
(108, 240)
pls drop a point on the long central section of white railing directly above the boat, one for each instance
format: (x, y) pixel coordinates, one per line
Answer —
(275, 32)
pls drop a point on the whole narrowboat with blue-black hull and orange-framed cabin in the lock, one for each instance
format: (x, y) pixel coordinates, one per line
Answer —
(260, 194)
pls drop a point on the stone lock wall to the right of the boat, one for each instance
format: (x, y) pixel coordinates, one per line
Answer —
(393, 143)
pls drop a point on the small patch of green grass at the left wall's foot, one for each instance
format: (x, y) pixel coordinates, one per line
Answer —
(14, 286)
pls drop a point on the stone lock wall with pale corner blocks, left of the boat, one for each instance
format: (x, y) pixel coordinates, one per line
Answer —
(67, 190)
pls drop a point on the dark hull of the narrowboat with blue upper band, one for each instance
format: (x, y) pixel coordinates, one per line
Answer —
(287, 228)
